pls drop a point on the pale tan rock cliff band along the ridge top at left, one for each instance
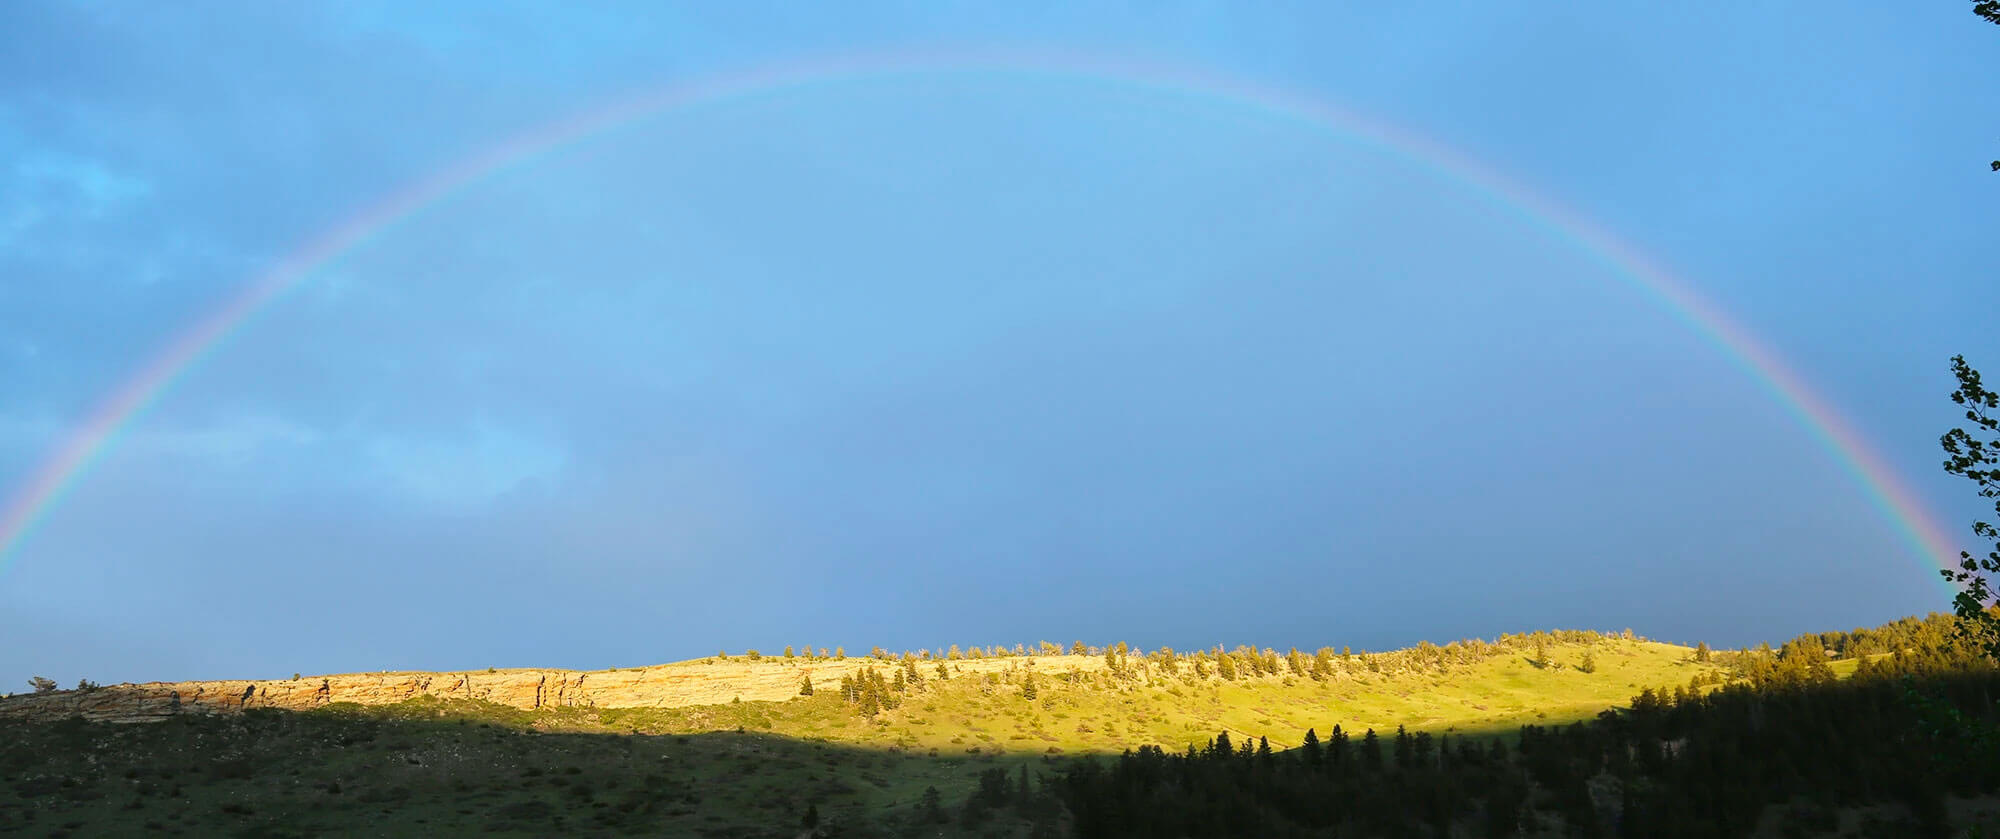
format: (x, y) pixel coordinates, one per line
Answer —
(665, 686)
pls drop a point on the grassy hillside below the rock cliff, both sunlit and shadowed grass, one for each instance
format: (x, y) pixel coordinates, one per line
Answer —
(501, 770)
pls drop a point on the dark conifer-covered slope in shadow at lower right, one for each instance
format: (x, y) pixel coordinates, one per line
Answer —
(1683, 762)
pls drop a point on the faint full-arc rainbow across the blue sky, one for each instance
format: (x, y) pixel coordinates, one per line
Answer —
(1873, 476)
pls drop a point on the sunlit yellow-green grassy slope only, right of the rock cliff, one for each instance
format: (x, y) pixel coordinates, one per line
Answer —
(1105, 716)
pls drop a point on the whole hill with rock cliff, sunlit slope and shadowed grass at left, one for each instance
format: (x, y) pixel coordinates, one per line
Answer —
(727, 746)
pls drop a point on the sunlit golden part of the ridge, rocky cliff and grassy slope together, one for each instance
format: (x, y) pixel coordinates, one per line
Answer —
(1081, 704)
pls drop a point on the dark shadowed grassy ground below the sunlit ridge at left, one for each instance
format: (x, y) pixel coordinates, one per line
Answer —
(437, 768)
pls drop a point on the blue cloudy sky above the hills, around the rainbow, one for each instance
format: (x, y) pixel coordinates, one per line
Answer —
(971, 353)
